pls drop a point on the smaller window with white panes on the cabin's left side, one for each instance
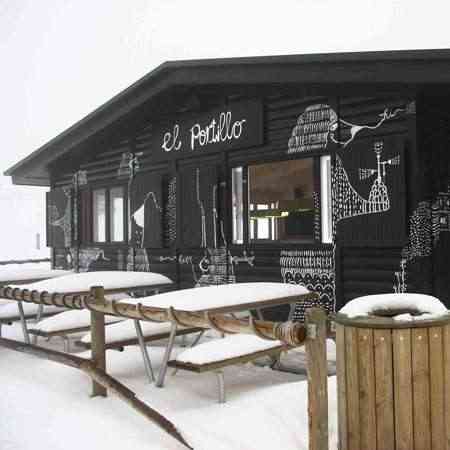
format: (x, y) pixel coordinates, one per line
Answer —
(108, 209)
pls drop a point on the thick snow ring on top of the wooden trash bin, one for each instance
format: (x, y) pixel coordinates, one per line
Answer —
(367, 305)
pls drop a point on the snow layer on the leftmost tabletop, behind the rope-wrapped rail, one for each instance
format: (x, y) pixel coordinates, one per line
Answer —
(80, 282)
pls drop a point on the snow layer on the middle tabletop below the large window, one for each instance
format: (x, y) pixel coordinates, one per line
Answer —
(211, 297)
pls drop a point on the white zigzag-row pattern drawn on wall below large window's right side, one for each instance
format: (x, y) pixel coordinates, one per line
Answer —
(313, 269)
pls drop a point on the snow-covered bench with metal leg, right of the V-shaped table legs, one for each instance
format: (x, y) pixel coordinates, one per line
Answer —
(220, 353)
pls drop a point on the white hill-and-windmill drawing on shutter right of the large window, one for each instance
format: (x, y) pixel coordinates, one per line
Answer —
(347, 202)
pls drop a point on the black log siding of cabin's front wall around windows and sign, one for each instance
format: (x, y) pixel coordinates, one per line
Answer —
(188, 246)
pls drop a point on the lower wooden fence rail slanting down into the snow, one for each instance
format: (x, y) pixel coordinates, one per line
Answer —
(102, 378)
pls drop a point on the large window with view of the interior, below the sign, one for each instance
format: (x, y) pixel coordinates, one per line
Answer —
(280, 198)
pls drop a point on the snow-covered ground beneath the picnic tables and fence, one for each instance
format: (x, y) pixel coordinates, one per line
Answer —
(45, 405)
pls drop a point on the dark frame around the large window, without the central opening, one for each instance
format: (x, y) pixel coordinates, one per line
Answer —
(317, 238)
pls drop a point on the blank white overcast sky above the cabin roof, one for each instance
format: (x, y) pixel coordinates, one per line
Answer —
(60, 59)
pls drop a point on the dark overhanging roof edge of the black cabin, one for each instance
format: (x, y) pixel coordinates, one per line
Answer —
(412, 67)
